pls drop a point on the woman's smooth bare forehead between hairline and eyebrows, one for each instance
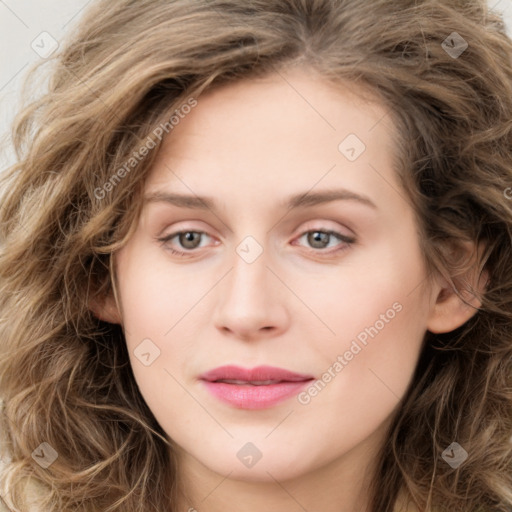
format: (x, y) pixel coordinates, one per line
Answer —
(287, 129)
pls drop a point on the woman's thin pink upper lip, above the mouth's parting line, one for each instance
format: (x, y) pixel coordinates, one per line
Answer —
(257, 374)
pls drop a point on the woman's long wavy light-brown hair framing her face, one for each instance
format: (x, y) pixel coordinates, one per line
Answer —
(65, 376)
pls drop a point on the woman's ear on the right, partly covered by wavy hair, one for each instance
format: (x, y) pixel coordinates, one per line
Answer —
(451, 310)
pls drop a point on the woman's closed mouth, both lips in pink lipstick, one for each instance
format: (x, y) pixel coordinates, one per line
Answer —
(256, 388)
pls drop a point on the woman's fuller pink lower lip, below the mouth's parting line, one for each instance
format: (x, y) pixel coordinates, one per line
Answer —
(255, 397)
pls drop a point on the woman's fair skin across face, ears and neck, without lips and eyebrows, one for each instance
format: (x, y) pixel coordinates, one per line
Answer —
(250, 145)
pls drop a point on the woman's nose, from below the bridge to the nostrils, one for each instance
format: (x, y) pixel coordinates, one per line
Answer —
(251, 300)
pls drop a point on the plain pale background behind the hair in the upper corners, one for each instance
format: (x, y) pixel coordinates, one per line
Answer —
(23, 21)
